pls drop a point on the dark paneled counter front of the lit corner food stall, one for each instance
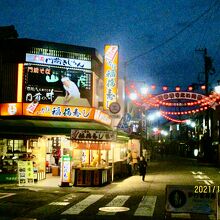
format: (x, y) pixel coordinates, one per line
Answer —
(92, 176)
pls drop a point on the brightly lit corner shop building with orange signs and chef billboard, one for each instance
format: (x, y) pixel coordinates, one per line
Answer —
(50, 97)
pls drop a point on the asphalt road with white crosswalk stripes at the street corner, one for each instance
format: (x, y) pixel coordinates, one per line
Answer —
(130, 198)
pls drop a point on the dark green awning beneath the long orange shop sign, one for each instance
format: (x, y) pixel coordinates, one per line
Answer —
(45, 127)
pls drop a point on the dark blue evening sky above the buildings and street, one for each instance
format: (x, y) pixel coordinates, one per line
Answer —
(157, 38)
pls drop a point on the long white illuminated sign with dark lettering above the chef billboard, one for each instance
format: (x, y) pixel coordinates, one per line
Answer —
(58, 61)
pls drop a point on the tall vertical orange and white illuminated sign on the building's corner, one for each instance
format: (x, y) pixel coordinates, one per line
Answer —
(110, 75)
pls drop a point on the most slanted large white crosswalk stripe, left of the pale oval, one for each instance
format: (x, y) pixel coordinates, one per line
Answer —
(82, 205)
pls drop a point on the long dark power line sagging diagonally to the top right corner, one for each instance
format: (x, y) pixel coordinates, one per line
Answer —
(174, 36)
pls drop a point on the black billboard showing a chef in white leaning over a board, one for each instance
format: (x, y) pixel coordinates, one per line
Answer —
(52, 85)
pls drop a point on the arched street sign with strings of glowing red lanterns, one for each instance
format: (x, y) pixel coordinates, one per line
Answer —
(175, 103)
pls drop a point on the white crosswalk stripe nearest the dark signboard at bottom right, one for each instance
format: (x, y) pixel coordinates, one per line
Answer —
(146, 206)
